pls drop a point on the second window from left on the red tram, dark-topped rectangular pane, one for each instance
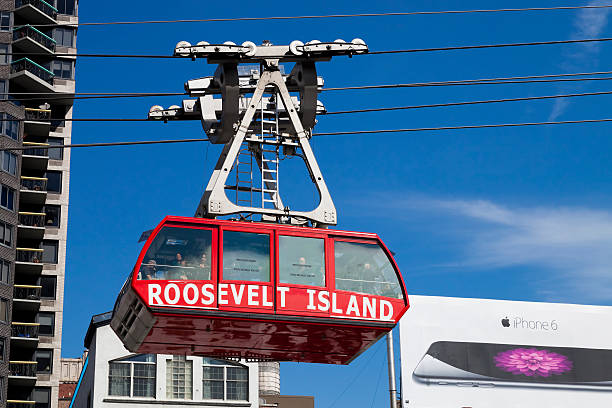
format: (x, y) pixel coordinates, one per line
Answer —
(246, 256)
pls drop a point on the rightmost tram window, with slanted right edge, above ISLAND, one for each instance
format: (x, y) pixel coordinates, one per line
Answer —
(365, 268)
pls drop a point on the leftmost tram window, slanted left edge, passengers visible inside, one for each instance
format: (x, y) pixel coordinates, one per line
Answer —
(178, 254)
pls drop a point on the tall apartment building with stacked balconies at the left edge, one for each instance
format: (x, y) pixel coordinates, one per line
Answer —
(36, 73)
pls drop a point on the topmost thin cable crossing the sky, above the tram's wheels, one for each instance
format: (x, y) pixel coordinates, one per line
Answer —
(392, 14)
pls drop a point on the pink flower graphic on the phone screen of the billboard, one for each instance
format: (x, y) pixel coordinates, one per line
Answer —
(532, 362)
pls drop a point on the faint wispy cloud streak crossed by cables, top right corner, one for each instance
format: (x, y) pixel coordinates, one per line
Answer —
(589, 23)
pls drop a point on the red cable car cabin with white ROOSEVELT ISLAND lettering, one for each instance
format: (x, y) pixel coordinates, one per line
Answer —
(259, 291)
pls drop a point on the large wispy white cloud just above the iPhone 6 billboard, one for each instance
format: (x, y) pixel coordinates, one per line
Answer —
(571, 247)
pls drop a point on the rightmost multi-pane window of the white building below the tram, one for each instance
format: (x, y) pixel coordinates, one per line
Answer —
(224, 380)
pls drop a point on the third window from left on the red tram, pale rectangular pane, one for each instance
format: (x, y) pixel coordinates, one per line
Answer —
(301, 260)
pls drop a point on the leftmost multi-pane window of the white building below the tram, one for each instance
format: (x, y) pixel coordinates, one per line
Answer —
(132, 376)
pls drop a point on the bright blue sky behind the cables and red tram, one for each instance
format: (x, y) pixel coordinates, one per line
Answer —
(511, 213)
